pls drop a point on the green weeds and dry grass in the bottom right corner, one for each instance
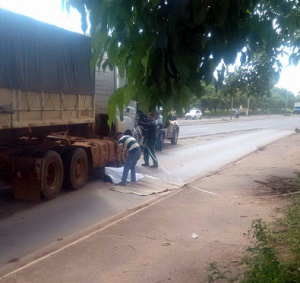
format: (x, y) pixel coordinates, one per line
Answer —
(275, 255)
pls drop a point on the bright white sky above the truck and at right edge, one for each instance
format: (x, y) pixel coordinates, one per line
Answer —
(50, 11)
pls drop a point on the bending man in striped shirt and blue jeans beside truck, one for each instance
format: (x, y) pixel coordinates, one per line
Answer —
(129, 143)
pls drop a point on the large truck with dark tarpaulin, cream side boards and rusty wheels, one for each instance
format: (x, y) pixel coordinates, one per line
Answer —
(52, 136)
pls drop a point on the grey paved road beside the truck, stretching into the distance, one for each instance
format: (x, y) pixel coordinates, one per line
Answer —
(28, 227)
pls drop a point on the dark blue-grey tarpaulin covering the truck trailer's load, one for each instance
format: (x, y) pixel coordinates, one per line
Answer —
(40, 57)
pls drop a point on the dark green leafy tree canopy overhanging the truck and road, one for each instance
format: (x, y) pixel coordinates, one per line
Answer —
(169, 49)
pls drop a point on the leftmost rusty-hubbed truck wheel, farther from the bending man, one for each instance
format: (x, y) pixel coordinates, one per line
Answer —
(52, 173)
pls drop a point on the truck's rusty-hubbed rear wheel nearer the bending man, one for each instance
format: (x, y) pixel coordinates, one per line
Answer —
(76, 168)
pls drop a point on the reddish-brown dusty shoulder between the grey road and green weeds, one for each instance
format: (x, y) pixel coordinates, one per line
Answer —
(171, 239)
